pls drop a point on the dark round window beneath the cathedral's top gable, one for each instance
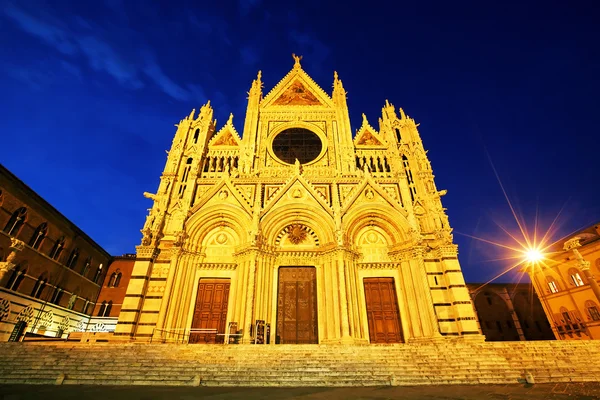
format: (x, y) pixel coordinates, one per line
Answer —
(297, 144)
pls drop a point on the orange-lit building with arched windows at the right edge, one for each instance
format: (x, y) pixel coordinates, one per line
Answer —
(567, 284)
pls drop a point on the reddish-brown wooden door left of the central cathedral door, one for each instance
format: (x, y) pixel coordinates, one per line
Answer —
(211, 310)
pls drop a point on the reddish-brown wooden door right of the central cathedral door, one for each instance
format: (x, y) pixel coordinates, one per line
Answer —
(382, 310)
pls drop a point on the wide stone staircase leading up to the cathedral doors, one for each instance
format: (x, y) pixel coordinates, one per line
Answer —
(430, 363)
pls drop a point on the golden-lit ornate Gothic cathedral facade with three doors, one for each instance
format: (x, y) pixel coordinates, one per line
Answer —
(324, 237)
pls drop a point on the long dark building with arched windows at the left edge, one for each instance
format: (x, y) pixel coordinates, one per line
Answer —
(50, 271)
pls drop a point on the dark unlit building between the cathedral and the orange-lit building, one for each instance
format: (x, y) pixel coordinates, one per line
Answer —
(510, 311)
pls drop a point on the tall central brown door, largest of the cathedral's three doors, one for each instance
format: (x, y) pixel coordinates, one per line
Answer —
(297, 305)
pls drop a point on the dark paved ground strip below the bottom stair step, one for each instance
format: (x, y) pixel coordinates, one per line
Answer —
(455, 392)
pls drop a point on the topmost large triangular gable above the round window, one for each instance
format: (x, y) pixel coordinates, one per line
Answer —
(297, 89)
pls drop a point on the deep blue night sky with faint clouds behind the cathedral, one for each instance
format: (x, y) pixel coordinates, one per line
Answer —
(91, 91)
